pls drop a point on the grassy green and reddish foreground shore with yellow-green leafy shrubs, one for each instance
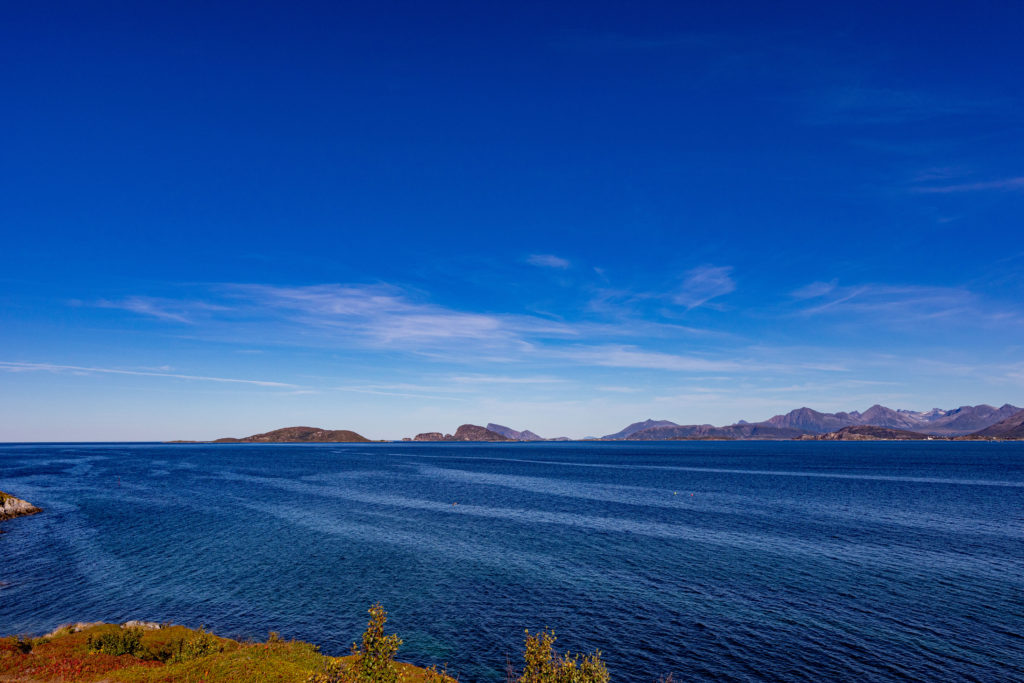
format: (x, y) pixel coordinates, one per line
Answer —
(149, 653)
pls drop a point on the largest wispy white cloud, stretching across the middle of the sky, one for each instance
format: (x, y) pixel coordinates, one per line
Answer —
(388, 318)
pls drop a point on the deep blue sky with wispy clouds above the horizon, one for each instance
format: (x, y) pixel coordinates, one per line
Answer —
(397, 218)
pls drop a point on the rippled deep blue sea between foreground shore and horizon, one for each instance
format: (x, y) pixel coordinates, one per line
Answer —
(730, 562)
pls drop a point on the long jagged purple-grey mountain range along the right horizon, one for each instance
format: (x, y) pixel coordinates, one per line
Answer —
(957, 422)
